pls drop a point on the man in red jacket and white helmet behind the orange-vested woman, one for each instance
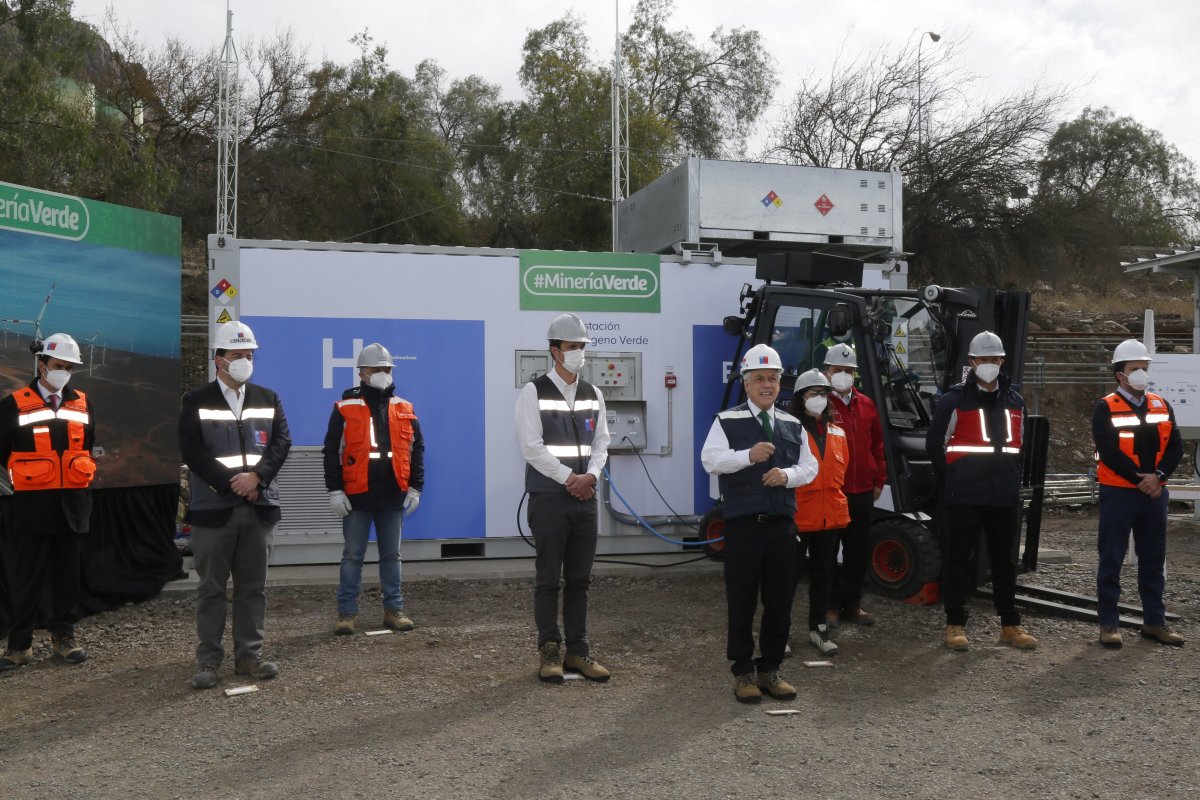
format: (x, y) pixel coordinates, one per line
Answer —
(866, 477)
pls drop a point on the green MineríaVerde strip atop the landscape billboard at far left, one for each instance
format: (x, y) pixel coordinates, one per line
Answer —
(64, 216)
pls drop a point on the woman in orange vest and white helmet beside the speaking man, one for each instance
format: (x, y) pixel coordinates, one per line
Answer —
(821, 507)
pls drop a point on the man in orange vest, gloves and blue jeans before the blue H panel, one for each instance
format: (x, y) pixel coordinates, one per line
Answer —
(375, 472)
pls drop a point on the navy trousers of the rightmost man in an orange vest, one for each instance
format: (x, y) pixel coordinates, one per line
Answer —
(1121, 512)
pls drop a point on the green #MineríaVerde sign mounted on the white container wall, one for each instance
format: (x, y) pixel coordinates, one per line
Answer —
(559, 281)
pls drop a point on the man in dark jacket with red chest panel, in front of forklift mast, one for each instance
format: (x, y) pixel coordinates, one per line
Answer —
(975, 444)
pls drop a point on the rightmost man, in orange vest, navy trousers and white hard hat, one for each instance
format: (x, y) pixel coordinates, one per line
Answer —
(1138, 447)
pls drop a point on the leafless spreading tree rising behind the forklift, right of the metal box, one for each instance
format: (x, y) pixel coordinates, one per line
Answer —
(962, 173)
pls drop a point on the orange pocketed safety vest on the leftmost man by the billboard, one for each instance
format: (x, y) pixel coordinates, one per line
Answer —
(45, 468)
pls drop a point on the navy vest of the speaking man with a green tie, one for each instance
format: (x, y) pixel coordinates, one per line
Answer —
(742, 492)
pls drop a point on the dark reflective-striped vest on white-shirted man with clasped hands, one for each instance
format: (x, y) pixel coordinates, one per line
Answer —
(566, 435)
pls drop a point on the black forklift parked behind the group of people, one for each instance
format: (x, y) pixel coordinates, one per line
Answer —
(911, 346)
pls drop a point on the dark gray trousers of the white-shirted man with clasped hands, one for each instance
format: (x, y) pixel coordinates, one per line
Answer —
(565, 532)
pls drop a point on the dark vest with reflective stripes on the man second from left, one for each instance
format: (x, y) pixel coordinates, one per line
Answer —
(238, 444)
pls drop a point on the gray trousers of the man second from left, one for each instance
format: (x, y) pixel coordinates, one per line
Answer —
(239, 549)
